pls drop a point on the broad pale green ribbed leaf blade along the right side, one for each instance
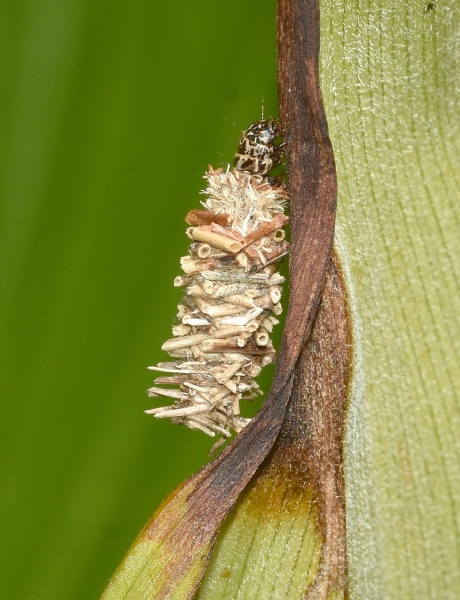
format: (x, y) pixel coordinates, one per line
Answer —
(390, 80)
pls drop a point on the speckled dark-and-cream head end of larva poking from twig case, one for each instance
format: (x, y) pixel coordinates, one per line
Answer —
(257, 153)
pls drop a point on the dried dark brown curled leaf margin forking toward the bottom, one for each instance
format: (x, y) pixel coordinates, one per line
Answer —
(183, 532)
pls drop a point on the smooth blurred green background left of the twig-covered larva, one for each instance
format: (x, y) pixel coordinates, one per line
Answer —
(110, 113)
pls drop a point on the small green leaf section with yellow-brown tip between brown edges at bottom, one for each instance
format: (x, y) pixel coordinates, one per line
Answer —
(270, 545)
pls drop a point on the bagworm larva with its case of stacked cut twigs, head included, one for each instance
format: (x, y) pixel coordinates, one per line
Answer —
(232, 291)
